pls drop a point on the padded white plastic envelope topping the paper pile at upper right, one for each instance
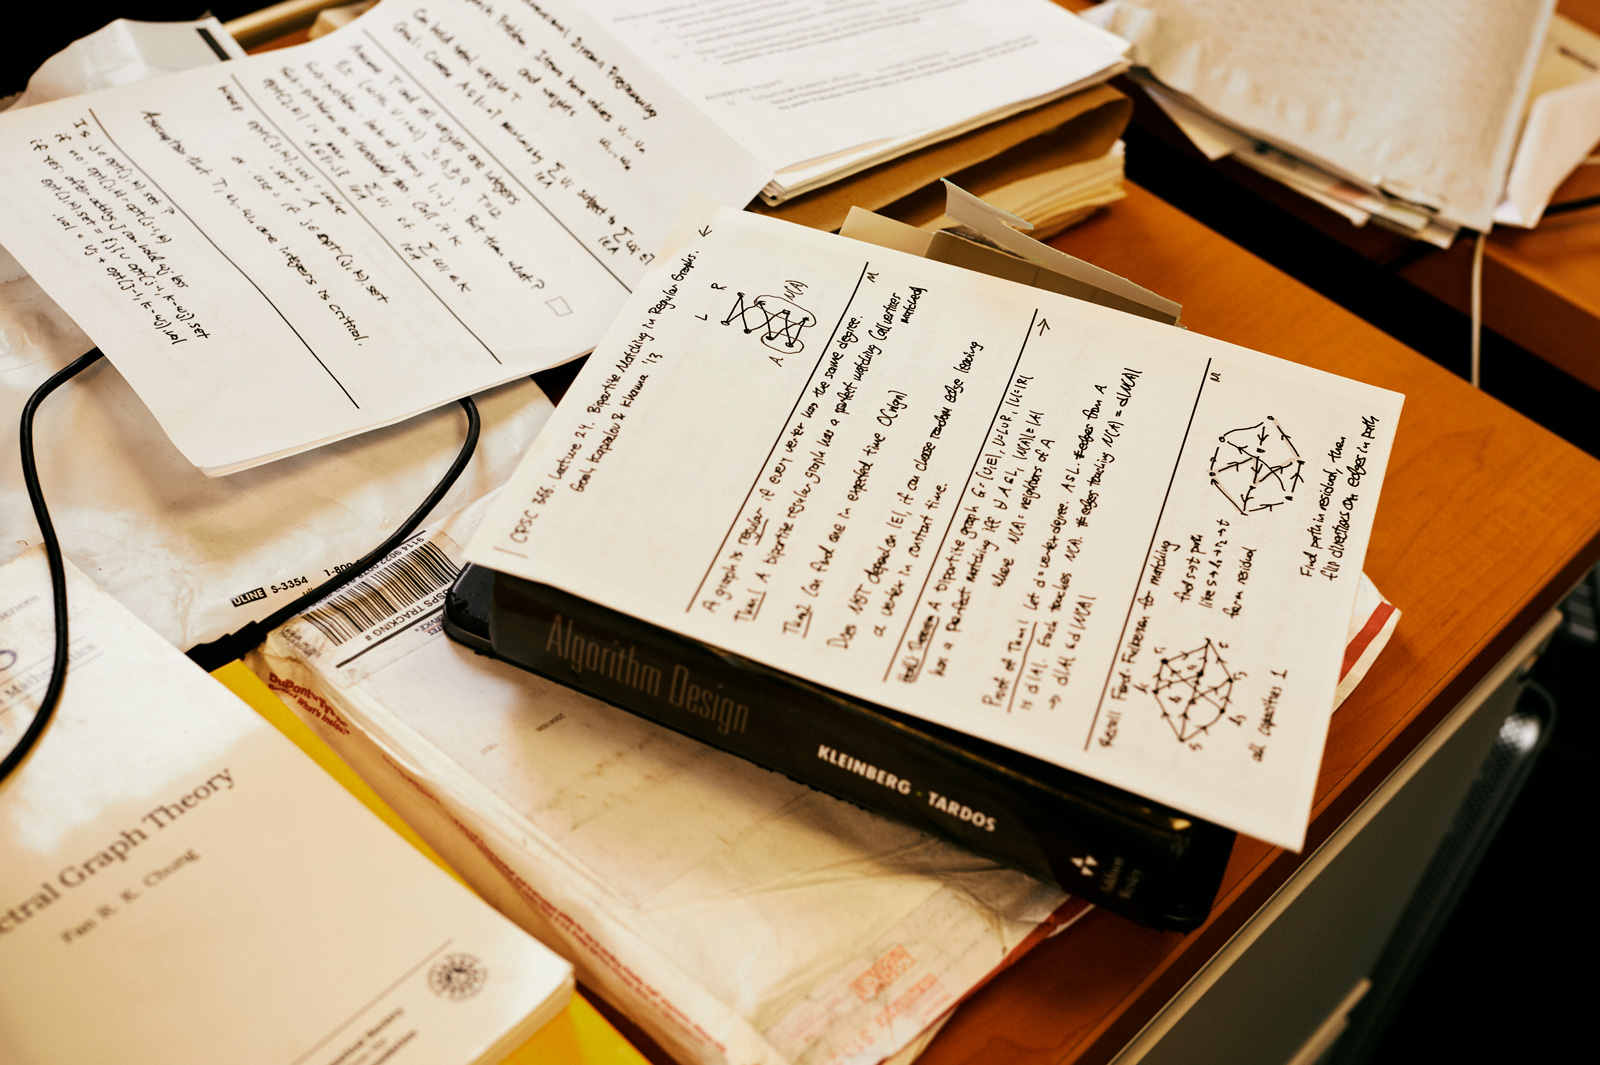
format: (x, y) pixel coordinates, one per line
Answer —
(1414, 98)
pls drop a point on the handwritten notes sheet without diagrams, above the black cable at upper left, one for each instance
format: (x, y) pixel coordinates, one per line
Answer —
(314, 242)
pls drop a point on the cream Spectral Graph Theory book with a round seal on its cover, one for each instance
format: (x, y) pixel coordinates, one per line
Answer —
(180, 884)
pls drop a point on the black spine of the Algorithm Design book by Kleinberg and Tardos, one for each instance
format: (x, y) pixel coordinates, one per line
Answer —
(1150, 863)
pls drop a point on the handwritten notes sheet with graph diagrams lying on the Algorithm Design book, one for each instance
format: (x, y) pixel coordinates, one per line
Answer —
(1116, 546)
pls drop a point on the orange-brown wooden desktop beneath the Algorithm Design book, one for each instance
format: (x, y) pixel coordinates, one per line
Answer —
(1486, 522)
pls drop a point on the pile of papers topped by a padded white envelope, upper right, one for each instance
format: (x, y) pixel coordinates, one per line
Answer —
(1396, 113)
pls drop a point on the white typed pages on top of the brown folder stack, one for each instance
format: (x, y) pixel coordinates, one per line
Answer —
(818, 89)
